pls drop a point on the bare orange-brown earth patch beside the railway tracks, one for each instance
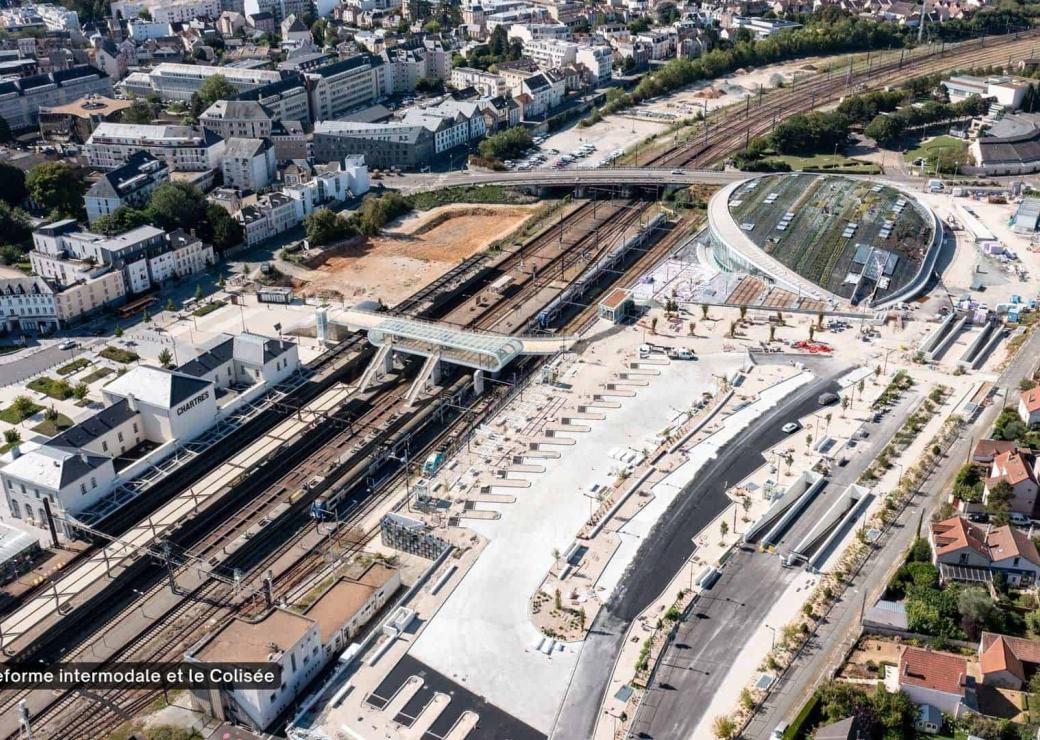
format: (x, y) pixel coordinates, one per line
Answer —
(412, 252)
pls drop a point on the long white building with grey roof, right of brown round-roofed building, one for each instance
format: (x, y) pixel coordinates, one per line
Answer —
(183, 148)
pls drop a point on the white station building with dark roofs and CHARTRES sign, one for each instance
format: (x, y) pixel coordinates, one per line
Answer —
(149, 413)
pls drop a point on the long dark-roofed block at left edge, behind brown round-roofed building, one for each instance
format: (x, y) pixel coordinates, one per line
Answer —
(21, 99)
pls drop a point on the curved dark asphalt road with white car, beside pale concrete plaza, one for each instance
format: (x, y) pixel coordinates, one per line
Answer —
(665, 552)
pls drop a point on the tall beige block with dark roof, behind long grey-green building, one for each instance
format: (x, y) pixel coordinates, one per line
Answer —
(351, 84)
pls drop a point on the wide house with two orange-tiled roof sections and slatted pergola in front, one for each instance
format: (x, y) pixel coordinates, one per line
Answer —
(966, 552)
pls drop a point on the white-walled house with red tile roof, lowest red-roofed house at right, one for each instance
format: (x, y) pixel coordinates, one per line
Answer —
(938, 679)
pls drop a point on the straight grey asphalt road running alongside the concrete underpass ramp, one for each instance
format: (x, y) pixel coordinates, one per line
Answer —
(717, 631)
